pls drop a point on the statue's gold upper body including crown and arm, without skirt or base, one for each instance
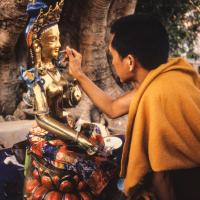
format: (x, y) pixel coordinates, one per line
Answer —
(56, 93)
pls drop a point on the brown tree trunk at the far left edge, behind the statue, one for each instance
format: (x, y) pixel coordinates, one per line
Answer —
(12, 20)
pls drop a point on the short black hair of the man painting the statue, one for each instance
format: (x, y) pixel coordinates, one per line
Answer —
(142, 36)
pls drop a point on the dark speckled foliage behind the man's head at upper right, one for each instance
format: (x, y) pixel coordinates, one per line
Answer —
(181, 19)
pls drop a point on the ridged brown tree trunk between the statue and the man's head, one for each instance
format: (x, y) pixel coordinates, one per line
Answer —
(94, 39)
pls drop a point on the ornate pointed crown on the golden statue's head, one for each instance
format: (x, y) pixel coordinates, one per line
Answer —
(44, 20)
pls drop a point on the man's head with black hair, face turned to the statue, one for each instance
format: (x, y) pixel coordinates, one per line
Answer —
(138, 40)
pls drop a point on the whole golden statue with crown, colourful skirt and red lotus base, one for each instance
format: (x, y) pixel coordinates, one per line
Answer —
(61, 162)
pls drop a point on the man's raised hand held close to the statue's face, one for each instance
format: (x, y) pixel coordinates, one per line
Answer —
(75, 60)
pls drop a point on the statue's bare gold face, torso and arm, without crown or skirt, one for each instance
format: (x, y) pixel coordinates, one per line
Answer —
(49, 104)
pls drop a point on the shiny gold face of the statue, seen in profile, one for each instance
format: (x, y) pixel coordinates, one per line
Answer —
(50, 43)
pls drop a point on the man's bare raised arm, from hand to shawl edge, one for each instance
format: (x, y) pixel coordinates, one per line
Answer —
(112, 107)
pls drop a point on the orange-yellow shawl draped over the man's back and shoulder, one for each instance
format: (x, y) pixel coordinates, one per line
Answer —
(163, 129)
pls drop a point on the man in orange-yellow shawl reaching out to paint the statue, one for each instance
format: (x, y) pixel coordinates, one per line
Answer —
(161, 155)
